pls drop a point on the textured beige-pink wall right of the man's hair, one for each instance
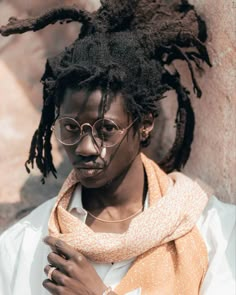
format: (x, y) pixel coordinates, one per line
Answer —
(213, 156)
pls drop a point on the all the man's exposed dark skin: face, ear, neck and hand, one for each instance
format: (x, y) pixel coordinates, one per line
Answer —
(114, 190)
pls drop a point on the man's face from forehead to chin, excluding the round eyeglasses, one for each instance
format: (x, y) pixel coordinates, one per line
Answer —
(99, 166)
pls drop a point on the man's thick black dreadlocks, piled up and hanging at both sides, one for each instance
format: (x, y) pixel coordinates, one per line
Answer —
(124, 46)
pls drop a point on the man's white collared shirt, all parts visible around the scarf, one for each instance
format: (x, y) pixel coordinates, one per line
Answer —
(23, 255)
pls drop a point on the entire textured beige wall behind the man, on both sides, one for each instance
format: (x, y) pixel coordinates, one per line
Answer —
(213, 157)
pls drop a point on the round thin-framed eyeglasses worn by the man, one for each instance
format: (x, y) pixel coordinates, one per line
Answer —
(105, 132)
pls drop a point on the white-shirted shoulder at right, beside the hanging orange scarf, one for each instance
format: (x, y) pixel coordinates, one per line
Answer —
(217, 226)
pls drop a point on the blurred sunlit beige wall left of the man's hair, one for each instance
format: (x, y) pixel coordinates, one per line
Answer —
(22, 60)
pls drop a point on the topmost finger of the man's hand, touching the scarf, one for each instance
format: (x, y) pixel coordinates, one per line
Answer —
(63, 248)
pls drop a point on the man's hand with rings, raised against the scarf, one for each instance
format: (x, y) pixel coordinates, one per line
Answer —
(74, 274)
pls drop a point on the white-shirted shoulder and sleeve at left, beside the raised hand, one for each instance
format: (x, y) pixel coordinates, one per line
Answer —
(23, 253)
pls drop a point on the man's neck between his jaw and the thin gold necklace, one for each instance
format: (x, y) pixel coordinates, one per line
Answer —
(127, 191)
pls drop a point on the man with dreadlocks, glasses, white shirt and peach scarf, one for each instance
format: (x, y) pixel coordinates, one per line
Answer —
(119, 225)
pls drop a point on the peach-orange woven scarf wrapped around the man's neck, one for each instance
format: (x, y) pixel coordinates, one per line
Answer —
(171, 255)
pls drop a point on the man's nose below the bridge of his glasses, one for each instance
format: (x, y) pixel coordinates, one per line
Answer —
(87, 146)
